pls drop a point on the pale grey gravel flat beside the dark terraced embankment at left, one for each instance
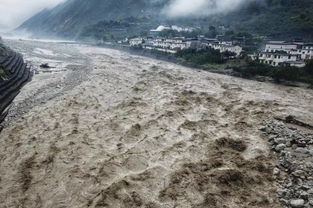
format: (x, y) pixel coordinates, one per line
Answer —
(68, 69)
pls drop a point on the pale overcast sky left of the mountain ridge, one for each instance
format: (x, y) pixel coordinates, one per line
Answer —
(14, 12)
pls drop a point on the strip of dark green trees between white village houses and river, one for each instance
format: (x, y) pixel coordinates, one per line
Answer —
(245, 67)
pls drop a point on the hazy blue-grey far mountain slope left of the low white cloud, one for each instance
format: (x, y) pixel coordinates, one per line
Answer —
(69, 18)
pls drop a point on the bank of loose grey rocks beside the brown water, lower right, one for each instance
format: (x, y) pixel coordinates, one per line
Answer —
(294, 171)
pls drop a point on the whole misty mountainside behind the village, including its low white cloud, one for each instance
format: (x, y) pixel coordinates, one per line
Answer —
(77, 18)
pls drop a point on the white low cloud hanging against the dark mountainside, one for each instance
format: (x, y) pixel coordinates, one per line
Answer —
(198, 8)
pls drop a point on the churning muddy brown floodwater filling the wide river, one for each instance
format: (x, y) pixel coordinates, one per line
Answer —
(138, 132)
